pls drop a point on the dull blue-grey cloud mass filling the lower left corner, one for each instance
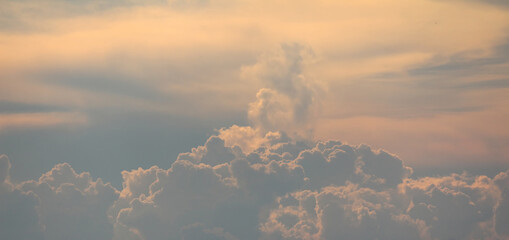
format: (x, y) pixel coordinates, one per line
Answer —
(60, 205)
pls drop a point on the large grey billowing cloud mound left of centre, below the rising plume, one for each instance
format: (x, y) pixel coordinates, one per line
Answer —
(216, 191)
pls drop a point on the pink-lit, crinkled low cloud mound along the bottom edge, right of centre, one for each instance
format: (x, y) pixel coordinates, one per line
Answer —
(346, 212)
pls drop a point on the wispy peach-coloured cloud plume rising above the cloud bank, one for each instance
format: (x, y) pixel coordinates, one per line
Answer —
(286, 104)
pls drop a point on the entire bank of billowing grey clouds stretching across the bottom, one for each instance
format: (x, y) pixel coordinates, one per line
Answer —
(284, 189)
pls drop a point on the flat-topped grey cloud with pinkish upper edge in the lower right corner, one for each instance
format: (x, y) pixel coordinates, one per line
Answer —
(455, 207)
